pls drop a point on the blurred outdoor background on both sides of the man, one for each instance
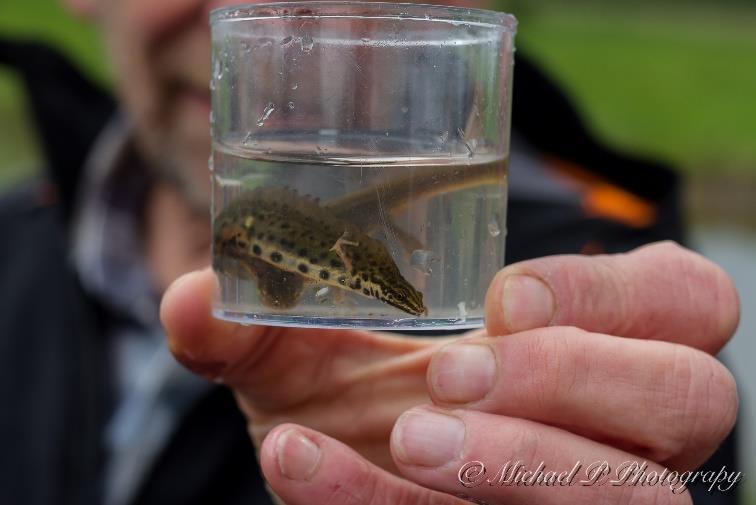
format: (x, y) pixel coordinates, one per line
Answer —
(673, 80)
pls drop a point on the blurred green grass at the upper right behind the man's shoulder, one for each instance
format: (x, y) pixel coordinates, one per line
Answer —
(674, 80)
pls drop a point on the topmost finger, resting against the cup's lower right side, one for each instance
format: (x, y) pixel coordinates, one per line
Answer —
(657, 292)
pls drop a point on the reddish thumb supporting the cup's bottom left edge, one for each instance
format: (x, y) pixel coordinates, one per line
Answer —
(272, 367)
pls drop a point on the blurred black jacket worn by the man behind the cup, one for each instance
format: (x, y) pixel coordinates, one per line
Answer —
(54, 380)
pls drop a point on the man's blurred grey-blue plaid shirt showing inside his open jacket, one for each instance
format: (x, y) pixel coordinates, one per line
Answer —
(152, 391)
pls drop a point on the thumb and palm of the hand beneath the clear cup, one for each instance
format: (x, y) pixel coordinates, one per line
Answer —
(352, 385)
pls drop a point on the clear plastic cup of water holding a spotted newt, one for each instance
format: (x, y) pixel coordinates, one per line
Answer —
(359, 162)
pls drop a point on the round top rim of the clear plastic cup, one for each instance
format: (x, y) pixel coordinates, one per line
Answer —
(366, 10)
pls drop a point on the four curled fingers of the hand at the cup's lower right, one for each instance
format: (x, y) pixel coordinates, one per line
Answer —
(557, 395)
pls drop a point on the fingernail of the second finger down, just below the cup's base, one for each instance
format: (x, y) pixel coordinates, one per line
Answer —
(462, 373)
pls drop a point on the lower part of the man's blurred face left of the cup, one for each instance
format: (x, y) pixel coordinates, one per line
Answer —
(160, 53)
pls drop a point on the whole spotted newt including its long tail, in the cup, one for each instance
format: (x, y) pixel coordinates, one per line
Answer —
(282, 239)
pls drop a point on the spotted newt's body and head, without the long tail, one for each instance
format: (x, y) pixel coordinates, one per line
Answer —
(282, 240)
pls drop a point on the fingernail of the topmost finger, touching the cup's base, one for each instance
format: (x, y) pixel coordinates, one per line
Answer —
(527, 302)
